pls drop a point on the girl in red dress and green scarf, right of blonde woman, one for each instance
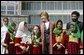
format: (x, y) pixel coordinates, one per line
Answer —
(59, 39)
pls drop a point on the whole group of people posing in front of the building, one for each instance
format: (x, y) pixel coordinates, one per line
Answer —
(46, 38)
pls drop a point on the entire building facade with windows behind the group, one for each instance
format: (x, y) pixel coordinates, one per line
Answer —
(30, 10)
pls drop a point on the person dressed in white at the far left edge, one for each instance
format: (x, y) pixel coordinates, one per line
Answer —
(4, 30)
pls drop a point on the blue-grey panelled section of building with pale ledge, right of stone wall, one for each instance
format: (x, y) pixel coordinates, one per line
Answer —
(56, 10)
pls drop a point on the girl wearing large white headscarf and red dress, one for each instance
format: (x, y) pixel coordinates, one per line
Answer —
(22, 39)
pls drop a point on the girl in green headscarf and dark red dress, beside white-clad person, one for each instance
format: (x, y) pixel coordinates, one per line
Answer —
(9, 40)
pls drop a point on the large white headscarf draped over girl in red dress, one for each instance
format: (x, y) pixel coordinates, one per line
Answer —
(22, 32)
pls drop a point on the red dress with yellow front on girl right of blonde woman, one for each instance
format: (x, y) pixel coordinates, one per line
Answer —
(62, 42)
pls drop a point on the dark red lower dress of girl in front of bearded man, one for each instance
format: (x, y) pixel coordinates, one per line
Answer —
(73, 47)
